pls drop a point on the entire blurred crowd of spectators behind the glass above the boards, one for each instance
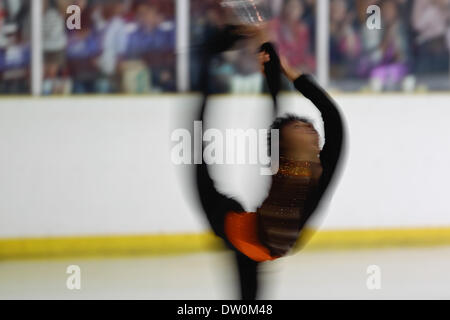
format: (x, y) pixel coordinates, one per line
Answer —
(128, 46)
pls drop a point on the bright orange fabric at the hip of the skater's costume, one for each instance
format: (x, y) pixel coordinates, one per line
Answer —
(242, 231)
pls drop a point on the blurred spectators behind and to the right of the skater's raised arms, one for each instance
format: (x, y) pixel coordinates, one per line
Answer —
(412, 44)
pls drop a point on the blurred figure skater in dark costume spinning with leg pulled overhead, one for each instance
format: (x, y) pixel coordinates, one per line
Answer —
(304, 174)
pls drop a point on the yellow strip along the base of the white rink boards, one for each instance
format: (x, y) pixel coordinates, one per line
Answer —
(174, 244)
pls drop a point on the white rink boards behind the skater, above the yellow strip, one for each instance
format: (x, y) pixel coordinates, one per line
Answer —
(101, 165)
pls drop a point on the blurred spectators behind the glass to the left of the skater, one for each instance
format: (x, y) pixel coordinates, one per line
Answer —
(122, 46)
